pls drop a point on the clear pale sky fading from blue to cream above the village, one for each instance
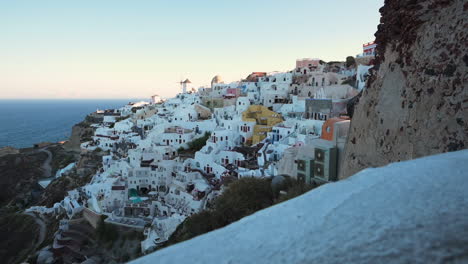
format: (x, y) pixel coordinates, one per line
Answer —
(134, 49)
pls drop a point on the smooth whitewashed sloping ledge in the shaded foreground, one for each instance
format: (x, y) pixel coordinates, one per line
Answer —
(407, 212)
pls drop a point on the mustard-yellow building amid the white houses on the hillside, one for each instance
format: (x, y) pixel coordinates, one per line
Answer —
(264, 119)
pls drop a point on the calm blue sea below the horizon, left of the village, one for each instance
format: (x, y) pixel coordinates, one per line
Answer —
(25, 122)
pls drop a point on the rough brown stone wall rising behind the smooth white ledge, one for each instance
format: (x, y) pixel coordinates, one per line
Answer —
(416, 102)
